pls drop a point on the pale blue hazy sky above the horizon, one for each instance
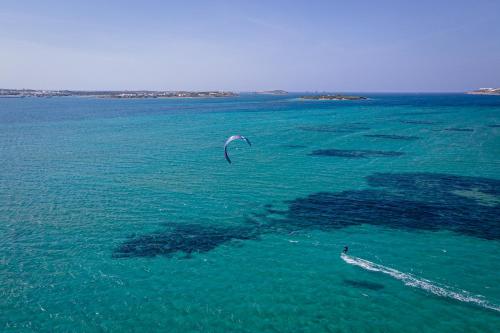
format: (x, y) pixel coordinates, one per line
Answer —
(337, 46)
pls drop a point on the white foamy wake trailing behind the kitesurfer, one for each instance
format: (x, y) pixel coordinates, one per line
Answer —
(427, 285)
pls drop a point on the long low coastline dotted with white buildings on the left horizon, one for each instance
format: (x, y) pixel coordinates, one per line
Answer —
(114, 94)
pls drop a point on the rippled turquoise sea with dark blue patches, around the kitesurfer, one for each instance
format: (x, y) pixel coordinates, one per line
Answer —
(122, 215)
